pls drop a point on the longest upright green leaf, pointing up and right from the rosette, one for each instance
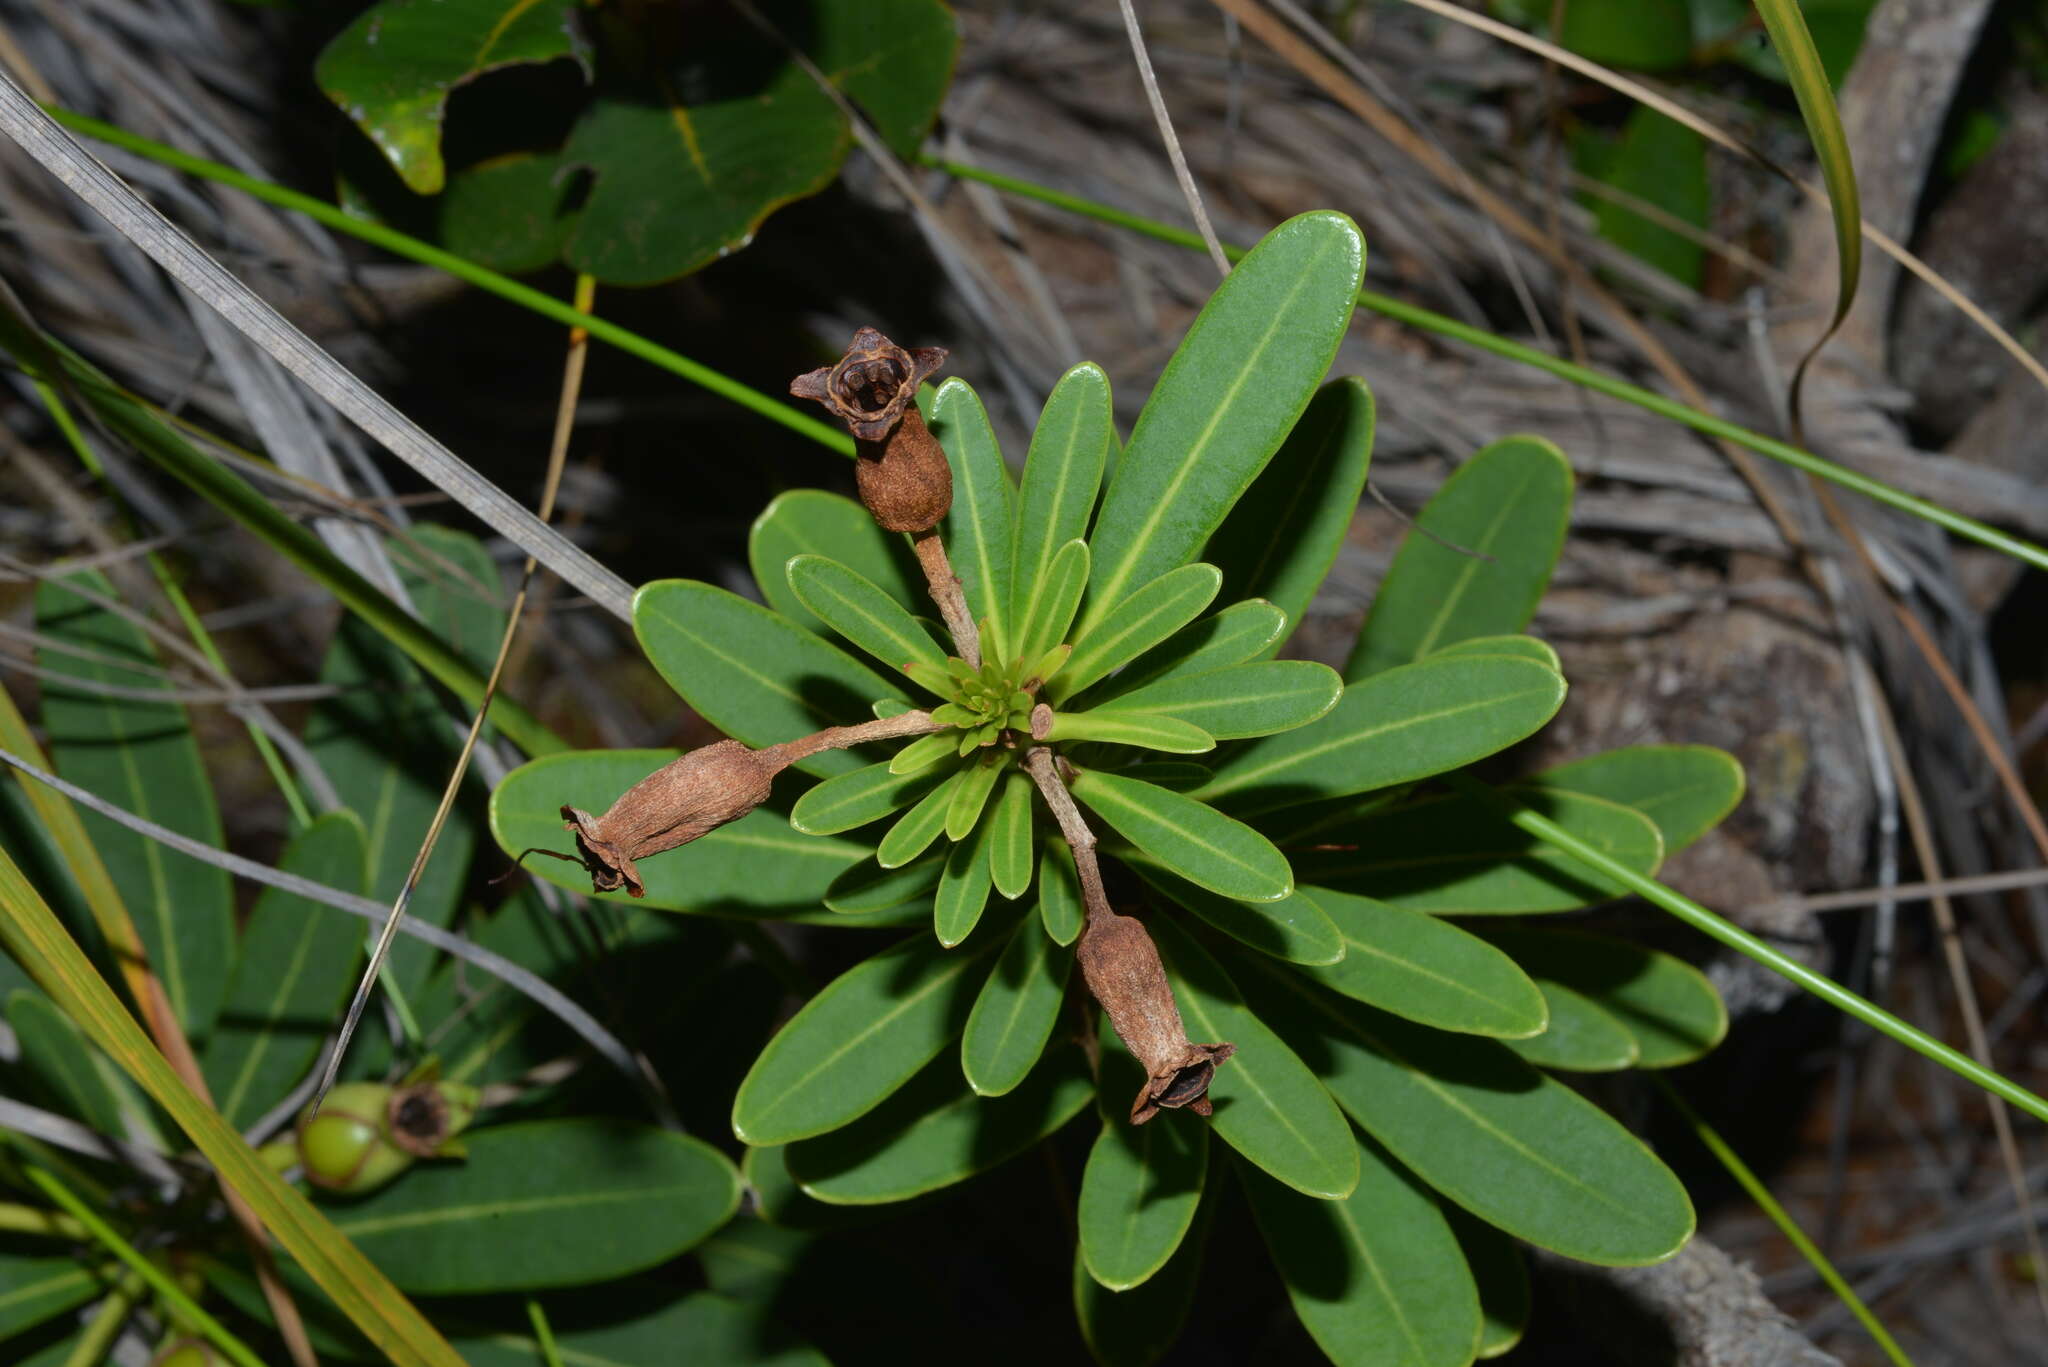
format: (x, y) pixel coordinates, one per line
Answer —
(1226, 403)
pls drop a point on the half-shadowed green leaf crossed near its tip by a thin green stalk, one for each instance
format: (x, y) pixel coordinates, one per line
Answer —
(1459, 858)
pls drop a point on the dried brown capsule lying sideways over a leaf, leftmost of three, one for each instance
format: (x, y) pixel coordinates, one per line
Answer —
(673, 806)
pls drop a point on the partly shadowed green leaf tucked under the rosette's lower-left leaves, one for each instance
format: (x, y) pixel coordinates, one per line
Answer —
(937, 1132)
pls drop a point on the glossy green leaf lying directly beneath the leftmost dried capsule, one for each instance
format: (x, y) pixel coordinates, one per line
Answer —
(751, 868)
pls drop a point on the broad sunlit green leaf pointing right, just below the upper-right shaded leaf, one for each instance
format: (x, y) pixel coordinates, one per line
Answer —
(1412, 722)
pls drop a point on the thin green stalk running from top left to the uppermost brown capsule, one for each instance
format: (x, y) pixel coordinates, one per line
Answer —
(505, 288)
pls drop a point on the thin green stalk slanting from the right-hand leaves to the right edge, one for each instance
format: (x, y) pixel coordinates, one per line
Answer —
(1746, 944)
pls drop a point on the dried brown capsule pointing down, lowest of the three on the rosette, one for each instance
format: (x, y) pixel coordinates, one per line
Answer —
(1123, 972)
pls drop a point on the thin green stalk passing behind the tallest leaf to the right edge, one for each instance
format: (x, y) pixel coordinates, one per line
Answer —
(1424, 321)
